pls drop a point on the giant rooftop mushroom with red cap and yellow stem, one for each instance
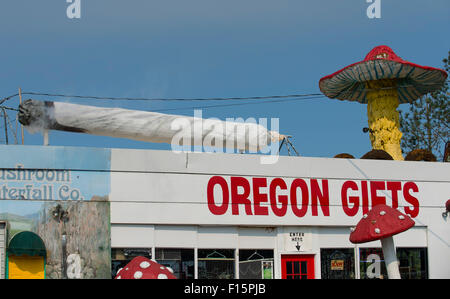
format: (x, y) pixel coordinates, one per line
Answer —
(383, 81)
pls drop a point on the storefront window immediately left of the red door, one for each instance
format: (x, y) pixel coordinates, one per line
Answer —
(256, 264)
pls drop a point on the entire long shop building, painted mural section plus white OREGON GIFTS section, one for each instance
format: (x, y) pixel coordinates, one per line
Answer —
(213, 215)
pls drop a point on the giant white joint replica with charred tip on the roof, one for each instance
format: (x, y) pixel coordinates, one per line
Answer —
(145, 126)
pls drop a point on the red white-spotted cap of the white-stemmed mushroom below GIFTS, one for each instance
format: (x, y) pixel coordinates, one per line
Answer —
(381, 222)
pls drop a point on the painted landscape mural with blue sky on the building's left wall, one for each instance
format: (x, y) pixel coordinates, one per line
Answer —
(61, 194)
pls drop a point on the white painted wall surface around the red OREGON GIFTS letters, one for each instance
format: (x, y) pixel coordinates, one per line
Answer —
(164, 188)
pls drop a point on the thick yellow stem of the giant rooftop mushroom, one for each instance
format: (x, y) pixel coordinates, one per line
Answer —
(383, 117)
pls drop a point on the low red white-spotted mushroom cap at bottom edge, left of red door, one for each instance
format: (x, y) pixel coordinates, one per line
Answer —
(143, 268)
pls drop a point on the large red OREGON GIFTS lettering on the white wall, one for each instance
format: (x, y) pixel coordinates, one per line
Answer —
(263, 196)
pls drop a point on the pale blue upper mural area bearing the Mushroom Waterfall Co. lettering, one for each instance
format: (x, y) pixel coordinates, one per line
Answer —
(53, 174)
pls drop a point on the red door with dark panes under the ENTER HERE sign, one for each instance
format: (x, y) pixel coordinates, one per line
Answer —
(297, 266)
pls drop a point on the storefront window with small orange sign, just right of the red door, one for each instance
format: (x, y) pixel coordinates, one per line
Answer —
(337, 263)
